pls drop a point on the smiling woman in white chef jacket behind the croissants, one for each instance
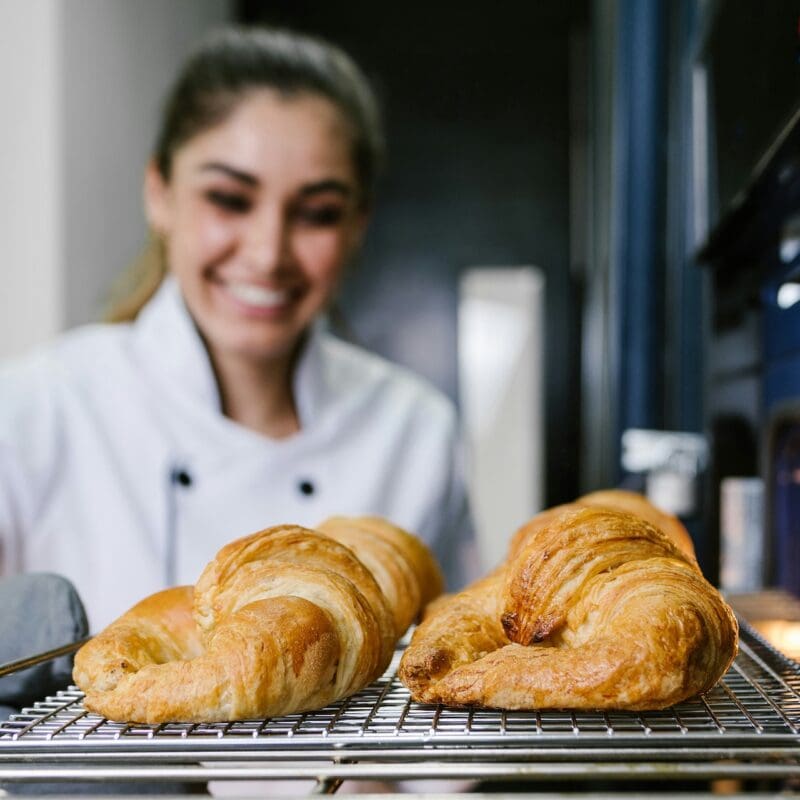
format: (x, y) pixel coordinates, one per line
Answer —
(130, 453)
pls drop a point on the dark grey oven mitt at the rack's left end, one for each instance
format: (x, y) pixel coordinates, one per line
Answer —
(39, 612)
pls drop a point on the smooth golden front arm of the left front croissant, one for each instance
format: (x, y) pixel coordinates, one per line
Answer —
(268, 656)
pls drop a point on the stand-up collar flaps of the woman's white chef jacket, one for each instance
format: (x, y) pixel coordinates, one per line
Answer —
(174, 346)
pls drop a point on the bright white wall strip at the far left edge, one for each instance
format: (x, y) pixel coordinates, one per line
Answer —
(30, 280)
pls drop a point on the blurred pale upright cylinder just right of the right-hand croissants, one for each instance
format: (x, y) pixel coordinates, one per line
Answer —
(741, 532)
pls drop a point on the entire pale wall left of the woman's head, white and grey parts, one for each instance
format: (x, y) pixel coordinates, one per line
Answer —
(83, 82)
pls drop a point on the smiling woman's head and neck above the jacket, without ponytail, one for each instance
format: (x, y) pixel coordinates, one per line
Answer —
(259, 192)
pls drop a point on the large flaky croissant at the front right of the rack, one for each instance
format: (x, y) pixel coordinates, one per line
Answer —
(595, 608)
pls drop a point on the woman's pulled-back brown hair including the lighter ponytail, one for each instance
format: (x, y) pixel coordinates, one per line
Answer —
(225, 68)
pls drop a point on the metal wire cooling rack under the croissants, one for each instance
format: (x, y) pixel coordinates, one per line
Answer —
(747, 726)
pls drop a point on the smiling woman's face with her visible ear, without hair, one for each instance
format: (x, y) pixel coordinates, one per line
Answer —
(259, 216)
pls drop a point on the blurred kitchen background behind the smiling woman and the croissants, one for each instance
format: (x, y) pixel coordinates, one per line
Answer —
(586, 224)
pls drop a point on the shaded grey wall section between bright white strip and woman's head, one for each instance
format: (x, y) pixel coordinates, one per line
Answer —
(118, 58)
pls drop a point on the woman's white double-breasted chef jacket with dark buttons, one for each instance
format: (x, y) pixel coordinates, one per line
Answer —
(119, 471)
